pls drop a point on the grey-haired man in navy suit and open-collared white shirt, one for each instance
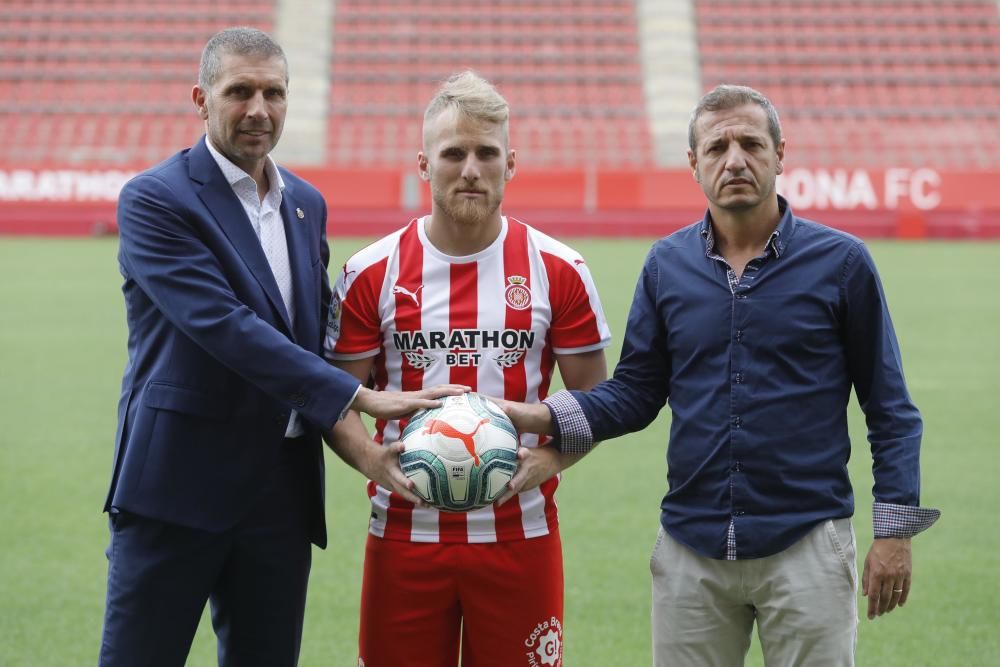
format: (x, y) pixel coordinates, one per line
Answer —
(217, 488)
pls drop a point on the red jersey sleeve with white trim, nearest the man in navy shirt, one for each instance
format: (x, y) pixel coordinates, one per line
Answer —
(578, 322)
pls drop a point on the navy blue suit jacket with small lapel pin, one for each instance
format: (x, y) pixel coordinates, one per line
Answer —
(214, 367)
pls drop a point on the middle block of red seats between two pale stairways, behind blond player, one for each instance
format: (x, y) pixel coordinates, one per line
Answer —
(571, 71)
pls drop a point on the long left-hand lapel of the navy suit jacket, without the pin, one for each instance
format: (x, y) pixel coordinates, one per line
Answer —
(220, 199)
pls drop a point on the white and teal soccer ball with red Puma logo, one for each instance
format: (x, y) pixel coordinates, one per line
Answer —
(461, 455)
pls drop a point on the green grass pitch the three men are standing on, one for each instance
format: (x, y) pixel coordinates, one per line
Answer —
(62, 351)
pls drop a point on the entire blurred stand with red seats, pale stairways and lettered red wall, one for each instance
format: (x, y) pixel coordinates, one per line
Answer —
(891, 108)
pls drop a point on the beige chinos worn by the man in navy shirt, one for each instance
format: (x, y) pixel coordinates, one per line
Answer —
(804, 600)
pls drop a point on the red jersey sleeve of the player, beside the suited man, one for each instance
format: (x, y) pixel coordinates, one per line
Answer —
(354, 326)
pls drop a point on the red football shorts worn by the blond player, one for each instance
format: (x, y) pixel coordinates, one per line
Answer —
(501, 602)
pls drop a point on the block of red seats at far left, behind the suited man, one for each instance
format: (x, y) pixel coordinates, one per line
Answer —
(105, 82)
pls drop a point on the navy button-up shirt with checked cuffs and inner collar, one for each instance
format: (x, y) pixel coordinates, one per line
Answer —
(758, 371)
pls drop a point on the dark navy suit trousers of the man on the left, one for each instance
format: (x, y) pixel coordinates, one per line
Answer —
(160, 576)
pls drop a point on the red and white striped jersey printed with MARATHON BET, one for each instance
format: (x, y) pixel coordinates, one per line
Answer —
(492, 320)
